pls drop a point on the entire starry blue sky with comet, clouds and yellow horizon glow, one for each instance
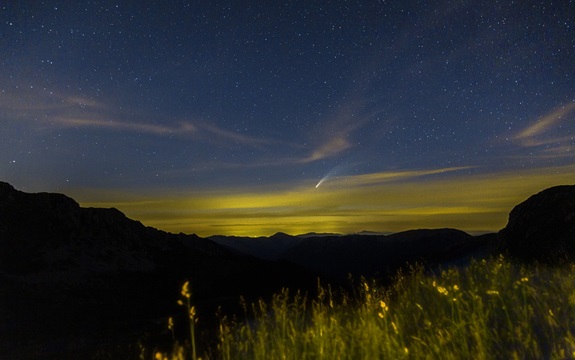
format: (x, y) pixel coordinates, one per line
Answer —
(252, 117)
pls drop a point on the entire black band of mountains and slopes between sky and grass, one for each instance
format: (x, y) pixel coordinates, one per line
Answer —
(74, 281)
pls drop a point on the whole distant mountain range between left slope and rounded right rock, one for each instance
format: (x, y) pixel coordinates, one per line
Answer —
(336, 256)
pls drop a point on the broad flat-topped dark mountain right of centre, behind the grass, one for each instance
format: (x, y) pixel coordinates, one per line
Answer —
(380, 256)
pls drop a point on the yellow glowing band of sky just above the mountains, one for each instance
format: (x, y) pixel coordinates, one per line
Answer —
(381, 202)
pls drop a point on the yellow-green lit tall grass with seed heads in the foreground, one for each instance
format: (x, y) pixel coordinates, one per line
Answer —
(490, 309)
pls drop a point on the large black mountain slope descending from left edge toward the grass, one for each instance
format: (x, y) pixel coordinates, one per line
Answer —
(75, 279)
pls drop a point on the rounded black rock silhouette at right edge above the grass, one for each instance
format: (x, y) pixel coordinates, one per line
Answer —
(542, 227)
